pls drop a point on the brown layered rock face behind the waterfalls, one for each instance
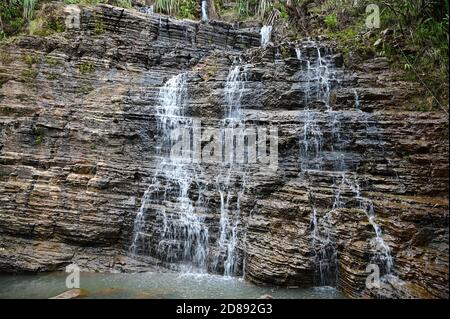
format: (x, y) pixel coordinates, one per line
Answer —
(79, 148)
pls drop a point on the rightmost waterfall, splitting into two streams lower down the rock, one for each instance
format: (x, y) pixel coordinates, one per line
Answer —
(322, 152)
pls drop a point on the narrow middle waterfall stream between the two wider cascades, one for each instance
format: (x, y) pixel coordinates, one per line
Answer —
(233, 174)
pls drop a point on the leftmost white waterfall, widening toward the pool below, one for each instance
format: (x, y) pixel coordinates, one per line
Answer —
(178, 233)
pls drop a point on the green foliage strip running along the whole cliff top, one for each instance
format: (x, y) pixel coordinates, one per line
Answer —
(413, 34)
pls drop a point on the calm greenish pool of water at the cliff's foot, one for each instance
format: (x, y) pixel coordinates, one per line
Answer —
(152, 285)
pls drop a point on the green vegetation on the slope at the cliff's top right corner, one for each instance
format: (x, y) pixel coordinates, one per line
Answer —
(413, 35)
